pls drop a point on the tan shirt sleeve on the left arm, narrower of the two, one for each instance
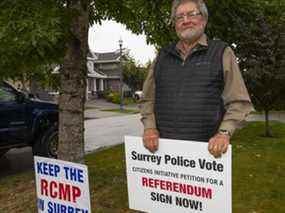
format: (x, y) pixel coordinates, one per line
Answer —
(148, 98)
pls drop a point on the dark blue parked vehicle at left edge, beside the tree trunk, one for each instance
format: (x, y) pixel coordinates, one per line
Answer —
(25, 121)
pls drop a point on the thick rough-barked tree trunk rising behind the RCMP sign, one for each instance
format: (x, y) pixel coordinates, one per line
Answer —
(73, 86)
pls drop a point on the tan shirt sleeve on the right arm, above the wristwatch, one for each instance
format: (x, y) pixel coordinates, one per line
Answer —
(235, 95)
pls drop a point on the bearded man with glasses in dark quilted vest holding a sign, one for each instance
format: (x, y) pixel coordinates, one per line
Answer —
(194, 89)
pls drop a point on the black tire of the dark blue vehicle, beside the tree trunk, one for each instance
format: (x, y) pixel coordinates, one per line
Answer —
(47, 144)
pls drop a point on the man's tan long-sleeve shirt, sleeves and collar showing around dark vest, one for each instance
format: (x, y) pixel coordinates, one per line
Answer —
(235, 96)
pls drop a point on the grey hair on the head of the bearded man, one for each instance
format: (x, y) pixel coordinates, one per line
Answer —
(201, 6)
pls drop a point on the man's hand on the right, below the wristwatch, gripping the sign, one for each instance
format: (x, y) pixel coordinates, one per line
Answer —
(218, 144)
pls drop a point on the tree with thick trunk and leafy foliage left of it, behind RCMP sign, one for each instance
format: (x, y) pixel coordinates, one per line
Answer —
(35, 34)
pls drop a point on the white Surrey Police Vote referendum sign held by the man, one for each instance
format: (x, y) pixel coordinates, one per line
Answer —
(181, 176)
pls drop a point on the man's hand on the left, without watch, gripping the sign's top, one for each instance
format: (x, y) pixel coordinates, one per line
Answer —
(150, 139)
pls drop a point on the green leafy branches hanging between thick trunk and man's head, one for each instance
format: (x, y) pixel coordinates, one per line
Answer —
(140, 16)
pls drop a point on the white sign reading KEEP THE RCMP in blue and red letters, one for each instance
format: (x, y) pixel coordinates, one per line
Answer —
(61, 186)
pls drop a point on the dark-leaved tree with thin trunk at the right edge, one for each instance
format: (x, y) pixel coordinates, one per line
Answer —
(262, 59)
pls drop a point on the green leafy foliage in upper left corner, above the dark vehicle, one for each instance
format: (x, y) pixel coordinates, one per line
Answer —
(29, 39)
